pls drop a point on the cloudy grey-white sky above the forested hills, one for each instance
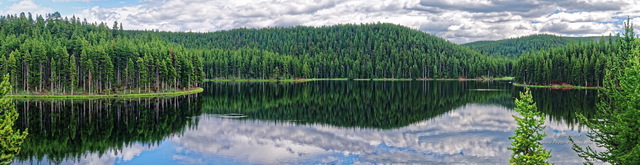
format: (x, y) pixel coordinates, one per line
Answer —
(458, 21)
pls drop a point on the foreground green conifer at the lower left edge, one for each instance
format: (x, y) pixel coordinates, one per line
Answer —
(10, 140)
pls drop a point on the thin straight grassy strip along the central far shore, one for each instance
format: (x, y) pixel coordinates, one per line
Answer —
(357, 79)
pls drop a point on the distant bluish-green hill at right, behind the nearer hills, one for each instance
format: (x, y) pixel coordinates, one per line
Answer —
(516, 47)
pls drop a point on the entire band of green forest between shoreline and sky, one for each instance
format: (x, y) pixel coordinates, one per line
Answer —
(55, 55)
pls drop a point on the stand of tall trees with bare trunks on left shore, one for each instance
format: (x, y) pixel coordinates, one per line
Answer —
(56, 55)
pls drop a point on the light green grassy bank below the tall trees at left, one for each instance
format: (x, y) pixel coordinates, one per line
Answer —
(176, 93)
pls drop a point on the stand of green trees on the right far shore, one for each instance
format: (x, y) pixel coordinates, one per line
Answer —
(576, 63)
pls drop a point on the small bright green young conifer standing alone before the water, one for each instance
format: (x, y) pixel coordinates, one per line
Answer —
(526, 145)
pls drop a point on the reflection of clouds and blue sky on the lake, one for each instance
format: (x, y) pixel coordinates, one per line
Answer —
(472, 134)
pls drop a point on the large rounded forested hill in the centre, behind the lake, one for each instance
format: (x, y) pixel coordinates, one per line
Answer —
(354, 51)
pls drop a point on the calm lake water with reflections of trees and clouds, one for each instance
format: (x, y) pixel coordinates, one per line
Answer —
(324, 122)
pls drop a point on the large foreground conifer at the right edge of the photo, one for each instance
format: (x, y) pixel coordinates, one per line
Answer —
(618, 118)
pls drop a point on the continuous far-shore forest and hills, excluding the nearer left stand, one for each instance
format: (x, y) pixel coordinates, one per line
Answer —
(390, 51)
